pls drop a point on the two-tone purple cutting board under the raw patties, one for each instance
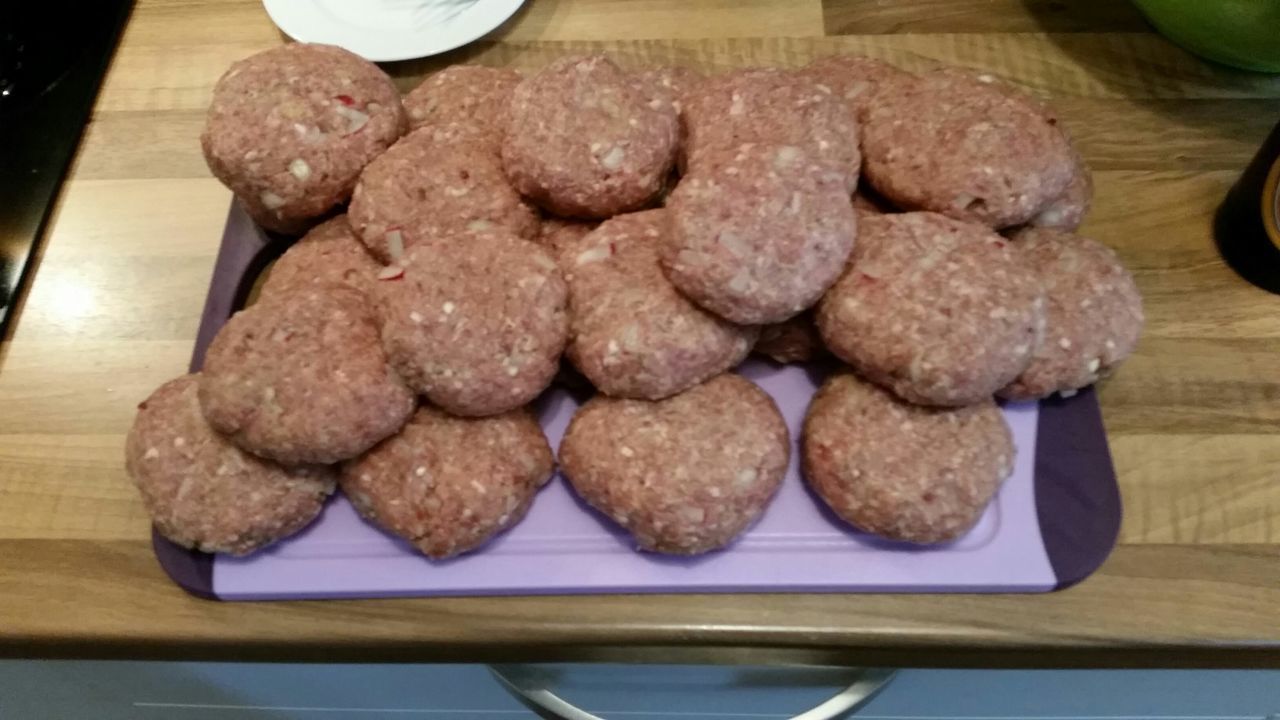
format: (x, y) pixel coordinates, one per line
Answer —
(1054, 522)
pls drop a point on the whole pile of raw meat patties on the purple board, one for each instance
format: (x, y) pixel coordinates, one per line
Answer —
(651, 229)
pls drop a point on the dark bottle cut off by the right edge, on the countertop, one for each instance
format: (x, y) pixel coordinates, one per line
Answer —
(1247, 226)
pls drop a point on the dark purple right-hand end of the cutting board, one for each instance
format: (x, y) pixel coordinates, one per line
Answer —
(1077, 496)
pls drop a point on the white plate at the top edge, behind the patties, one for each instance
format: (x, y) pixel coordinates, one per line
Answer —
(391, 30)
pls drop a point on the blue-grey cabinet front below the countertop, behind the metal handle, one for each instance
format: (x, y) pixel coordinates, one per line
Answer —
(217, 691)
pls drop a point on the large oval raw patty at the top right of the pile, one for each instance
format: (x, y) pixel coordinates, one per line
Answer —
(956, 145)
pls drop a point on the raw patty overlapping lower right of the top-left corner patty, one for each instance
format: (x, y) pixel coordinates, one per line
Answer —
(437, 181)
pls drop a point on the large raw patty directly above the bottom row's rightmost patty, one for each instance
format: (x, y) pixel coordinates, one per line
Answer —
(940, 312)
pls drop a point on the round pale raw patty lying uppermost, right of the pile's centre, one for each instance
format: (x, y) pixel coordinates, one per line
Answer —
(758, 233)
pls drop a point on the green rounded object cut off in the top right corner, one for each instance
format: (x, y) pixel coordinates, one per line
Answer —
(1245, 34)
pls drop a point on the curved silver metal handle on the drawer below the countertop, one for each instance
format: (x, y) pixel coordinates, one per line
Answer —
(528, 685)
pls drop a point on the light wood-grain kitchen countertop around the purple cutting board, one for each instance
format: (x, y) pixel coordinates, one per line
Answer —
(1195, 418)
